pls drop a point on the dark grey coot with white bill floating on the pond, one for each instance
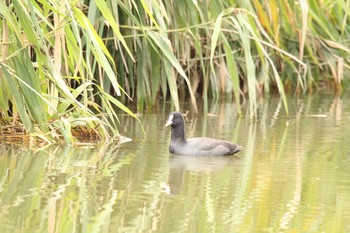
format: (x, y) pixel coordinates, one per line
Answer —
(200, 146)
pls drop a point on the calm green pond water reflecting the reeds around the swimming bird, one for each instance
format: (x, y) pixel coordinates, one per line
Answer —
(292, 176)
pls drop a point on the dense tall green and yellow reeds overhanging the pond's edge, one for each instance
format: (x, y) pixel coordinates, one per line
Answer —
(66, 64)
